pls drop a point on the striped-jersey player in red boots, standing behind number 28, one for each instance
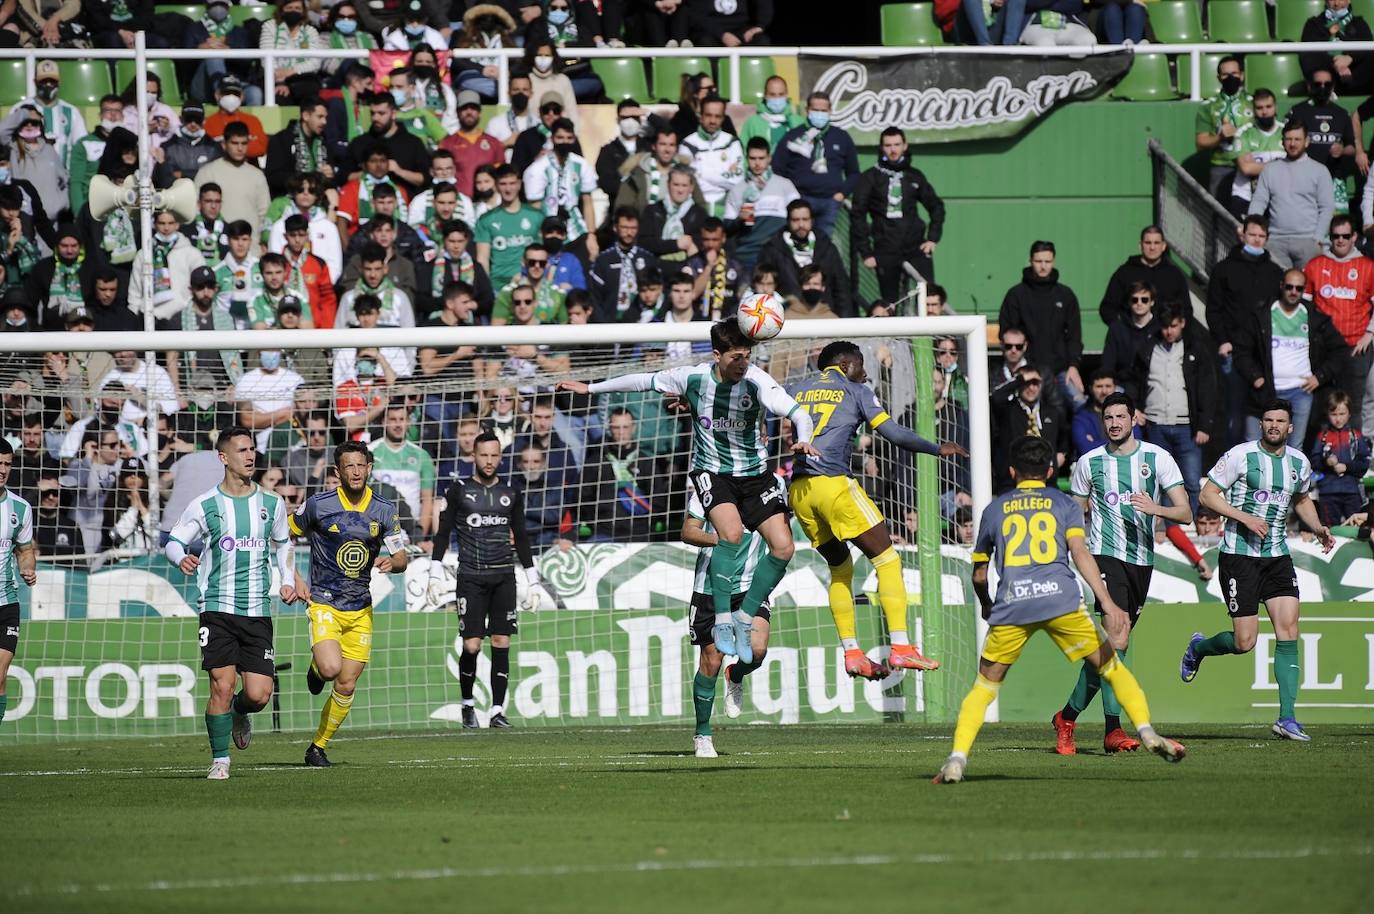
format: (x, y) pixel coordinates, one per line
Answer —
(1123, 486)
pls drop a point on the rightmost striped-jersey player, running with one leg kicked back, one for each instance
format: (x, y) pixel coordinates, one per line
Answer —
(1254, 487)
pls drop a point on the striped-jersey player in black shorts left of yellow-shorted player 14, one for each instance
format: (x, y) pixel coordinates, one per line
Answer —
(243, 528)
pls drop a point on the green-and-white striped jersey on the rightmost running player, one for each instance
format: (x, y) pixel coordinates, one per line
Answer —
(1265, 486)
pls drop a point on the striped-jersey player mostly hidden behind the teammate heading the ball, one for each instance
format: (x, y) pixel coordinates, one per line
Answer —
(697, 531)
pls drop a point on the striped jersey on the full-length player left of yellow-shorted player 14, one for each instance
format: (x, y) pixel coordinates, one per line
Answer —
(240, 534)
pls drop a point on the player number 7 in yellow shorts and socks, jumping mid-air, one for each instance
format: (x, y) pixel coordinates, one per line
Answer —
(835, 511)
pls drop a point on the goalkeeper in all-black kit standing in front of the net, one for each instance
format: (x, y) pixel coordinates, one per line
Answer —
(490, 520)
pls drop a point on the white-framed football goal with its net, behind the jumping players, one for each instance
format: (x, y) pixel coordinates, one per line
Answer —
(108, 645)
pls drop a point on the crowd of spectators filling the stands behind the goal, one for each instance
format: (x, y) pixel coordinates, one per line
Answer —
(410, 207)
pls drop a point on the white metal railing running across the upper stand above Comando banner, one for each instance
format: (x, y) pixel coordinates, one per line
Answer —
(732, 57)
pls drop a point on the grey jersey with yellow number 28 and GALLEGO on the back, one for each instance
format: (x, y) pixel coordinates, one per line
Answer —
(1026, 535)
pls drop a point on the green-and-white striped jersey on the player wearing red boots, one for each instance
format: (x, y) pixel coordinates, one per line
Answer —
(1108, 482)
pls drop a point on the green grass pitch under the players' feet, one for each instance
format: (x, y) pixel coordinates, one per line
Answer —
(825, 818)
